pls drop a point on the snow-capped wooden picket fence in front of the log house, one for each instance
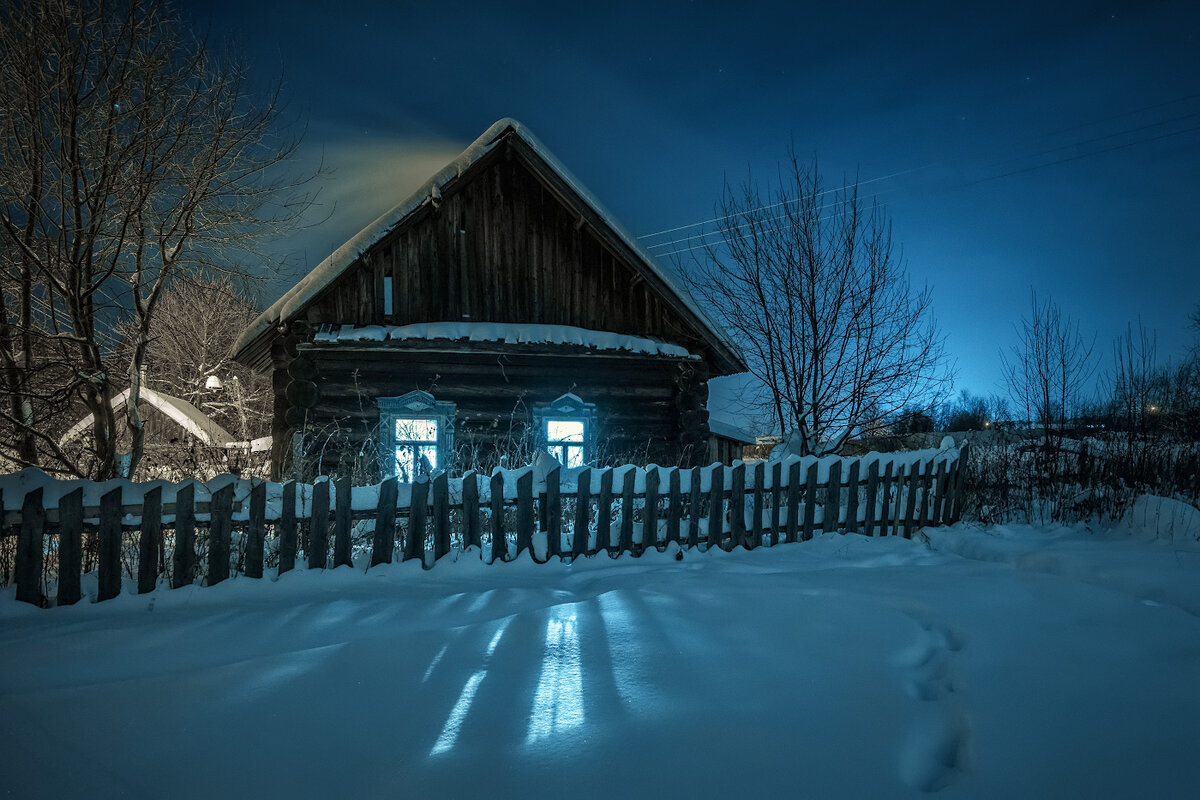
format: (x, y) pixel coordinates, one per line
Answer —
(613, 510)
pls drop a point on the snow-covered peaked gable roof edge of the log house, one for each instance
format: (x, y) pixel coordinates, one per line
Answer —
(326, 273)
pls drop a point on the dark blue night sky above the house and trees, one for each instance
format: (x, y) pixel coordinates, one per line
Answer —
(1019, 146)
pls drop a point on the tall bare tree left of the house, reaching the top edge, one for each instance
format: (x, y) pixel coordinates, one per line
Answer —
(130, 158)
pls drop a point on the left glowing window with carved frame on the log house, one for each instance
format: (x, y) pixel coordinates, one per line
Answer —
(418, 435)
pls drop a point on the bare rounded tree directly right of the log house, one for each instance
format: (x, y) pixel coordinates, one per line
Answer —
(811, 285)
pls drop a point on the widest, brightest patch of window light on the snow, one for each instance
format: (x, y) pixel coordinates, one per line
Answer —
(559, 702)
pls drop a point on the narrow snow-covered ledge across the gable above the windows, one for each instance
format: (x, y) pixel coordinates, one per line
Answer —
(509, 334)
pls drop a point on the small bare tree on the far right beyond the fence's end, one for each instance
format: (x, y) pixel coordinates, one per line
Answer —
(1048, 369)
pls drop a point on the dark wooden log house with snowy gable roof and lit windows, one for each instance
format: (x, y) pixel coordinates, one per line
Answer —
(499, 312)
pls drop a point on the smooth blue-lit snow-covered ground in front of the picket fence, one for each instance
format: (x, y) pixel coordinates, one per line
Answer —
(1004, 663)
